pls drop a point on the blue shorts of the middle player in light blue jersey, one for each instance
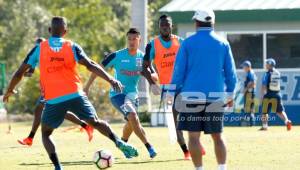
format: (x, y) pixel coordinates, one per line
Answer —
(124, 104)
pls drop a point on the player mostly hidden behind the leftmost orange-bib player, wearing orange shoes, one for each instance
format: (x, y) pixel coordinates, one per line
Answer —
(40, 106)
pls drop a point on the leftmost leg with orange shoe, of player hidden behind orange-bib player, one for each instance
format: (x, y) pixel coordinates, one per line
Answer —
(35, 124)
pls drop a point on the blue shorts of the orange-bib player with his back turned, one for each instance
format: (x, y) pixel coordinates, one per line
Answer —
(54, 114)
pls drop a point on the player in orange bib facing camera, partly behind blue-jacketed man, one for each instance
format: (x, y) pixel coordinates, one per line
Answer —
(162, 52)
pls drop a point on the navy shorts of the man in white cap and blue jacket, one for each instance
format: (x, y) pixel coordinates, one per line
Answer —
(208, 122)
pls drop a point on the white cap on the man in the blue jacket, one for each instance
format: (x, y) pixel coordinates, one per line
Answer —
(204, 15)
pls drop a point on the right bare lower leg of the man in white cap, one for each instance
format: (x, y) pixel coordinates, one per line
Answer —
(220, 150)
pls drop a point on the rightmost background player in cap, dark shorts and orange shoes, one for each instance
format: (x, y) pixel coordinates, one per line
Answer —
(271, 97)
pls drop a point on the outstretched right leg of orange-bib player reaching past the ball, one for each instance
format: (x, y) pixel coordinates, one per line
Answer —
(82, 107)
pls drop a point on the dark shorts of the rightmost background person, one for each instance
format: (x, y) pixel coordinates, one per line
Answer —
(272, 103)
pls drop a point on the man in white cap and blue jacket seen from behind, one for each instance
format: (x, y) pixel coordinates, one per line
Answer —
(204, 65)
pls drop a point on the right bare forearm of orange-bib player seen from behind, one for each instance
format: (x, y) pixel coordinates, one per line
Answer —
(97, 70)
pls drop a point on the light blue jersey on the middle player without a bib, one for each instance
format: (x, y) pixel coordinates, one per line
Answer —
(127, 70)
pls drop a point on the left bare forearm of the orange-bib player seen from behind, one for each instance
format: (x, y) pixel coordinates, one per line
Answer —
(19, 74)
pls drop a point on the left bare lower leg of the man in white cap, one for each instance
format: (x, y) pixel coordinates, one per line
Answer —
(194, 147)
